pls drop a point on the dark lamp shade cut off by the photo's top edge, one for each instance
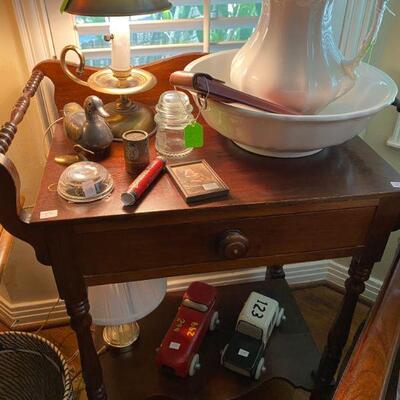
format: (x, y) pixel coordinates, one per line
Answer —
(114, 8)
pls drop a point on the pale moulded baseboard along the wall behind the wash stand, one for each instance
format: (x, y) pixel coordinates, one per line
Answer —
(29, 315)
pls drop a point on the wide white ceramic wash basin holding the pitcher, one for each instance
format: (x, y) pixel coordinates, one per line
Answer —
(281, 135)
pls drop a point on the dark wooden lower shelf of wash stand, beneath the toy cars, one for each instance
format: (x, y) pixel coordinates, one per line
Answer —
(291, 353)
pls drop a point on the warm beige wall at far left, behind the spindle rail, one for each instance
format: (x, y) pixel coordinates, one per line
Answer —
(24, 279)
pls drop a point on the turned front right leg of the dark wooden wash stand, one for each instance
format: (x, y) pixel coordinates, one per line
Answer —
(359, 273)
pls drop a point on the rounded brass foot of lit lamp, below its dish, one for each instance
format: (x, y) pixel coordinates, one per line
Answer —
(126, 115)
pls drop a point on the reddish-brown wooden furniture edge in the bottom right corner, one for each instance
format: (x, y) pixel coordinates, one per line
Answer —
(370, 368)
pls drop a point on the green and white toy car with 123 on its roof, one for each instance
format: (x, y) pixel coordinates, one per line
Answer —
(244, 354)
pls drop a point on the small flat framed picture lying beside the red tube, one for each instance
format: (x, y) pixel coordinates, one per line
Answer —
(197, 181)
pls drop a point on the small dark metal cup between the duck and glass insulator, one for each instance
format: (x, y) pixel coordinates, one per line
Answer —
(136, 151)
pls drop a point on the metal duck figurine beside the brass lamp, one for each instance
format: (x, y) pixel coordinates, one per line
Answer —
(87, 127)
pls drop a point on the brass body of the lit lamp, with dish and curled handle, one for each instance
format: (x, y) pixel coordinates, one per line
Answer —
(124, 113)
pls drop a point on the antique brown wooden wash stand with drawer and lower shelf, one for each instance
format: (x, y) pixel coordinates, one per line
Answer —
(337, 203)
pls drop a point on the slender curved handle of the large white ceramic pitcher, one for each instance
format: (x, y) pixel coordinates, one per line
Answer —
(351, 64)
